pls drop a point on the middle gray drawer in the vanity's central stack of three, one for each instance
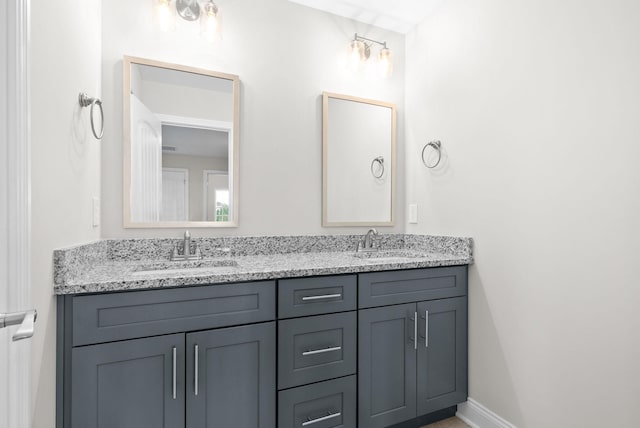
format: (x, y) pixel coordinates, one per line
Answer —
(316, 348)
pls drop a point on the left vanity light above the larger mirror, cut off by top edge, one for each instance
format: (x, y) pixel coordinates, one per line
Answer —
(206, 11)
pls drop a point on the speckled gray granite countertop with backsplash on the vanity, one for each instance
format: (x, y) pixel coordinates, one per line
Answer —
(120, 265)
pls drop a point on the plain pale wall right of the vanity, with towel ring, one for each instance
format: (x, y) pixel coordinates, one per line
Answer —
(536, 104)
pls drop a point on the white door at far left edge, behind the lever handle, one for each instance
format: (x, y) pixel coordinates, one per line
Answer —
(15, 275)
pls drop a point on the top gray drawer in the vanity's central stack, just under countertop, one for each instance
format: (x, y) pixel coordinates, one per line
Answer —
(318, 295)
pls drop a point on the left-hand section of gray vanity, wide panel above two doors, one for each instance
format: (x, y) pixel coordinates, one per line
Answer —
(199, 357)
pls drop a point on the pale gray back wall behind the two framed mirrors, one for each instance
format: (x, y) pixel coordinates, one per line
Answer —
(286, 55)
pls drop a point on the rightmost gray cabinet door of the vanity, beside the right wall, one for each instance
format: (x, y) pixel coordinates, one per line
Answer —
(442, 354)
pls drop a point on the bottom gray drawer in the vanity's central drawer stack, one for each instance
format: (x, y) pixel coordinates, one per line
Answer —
(327, 404)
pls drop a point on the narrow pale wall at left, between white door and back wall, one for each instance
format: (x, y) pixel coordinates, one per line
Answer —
(65, 164)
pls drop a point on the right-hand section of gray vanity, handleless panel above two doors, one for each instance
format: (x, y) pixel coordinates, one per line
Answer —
(412, 357)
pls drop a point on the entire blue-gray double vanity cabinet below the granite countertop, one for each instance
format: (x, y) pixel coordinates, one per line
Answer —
(370, 350)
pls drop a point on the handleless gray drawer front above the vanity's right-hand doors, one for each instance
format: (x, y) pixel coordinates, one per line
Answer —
(413, 285)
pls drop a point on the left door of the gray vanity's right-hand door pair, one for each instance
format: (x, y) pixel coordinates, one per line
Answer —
(387, 366)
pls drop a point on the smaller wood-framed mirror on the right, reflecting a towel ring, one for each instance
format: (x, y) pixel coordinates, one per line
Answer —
(359, 161)
